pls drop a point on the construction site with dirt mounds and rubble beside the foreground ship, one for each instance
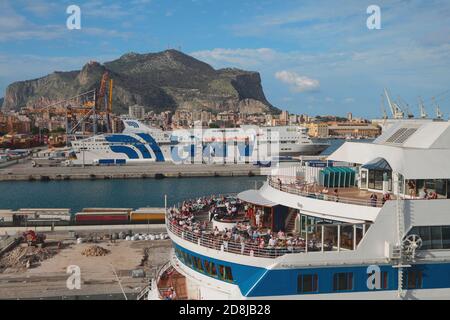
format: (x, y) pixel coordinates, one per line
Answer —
(111, 265)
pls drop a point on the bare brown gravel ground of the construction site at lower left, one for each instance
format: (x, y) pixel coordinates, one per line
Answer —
(99, 275)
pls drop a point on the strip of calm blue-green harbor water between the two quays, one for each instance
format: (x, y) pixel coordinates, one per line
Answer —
(129, 193)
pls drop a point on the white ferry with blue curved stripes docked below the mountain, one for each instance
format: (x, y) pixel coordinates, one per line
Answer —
(139, 143)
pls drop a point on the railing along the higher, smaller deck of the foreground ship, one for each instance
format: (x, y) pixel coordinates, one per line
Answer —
(300, 191)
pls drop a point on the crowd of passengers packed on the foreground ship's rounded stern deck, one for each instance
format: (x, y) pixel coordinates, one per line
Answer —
(248, 233)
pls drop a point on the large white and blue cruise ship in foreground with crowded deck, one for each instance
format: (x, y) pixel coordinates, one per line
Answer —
(373, 223)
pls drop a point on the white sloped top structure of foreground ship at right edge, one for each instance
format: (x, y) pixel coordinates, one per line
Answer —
(416, 149)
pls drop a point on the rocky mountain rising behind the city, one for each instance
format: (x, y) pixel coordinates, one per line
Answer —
(167, 80)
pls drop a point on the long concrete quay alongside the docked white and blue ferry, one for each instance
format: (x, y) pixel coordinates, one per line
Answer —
(25, 172)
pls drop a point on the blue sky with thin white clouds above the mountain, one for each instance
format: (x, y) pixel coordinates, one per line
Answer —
(314, 56)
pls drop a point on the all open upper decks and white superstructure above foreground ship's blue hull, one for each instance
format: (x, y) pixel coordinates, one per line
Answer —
(317, 206)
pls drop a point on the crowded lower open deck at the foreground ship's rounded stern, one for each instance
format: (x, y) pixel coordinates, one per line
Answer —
(228, 224)
